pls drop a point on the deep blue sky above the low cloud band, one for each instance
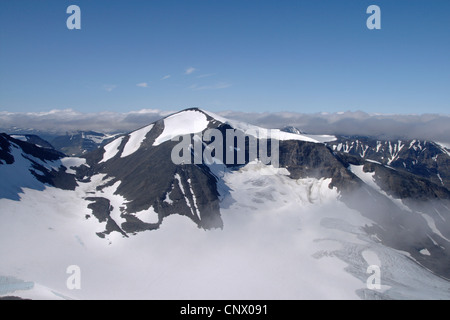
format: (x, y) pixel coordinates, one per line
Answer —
(242, 55)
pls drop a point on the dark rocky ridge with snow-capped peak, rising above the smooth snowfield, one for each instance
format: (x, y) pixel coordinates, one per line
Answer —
(130, 186)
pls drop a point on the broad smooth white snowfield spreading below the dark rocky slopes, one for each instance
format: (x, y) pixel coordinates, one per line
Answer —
(282, 239)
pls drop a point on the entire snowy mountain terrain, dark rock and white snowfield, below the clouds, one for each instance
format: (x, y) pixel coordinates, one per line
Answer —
(304, 222)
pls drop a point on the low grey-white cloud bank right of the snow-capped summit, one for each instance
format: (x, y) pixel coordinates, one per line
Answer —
(384, 126)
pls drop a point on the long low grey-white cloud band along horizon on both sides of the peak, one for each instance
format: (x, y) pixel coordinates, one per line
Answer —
(426, 127)
